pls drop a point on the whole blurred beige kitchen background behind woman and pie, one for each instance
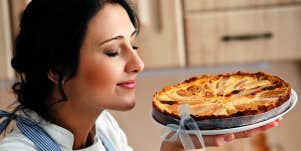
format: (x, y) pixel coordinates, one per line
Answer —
(184, 38)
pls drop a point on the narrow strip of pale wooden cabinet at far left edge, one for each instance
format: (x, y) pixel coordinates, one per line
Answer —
(5, 42)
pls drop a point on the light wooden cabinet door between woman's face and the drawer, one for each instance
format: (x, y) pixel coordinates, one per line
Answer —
(161, 37)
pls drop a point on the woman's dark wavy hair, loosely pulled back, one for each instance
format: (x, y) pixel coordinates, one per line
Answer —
(51, 35)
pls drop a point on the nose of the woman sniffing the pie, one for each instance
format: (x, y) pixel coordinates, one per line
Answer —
(134, 64)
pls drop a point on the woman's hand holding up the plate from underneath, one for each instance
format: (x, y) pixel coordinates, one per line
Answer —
(217, 140)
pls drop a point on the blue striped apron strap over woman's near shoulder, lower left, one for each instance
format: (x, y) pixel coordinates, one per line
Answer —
(31, 130)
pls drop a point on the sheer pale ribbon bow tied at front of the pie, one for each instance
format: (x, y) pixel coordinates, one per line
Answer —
(186, 127)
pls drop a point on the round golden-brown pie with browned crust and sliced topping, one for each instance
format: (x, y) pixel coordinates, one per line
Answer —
(223, 95)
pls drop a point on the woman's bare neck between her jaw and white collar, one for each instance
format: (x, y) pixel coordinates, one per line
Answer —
(81, 122)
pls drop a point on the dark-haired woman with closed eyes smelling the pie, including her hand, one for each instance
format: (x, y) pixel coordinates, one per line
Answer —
(77, 58)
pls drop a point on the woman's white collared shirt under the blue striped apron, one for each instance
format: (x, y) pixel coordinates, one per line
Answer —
(106, 125)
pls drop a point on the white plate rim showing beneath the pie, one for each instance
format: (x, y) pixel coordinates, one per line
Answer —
(293, 101)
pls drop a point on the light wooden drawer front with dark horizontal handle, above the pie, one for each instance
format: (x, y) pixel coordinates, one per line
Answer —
(244, 36)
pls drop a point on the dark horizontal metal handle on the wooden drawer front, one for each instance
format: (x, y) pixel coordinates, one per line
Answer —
(247, 37)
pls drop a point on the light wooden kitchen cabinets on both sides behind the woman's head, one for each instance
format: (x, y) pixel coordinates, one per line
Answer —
(185, 33)
